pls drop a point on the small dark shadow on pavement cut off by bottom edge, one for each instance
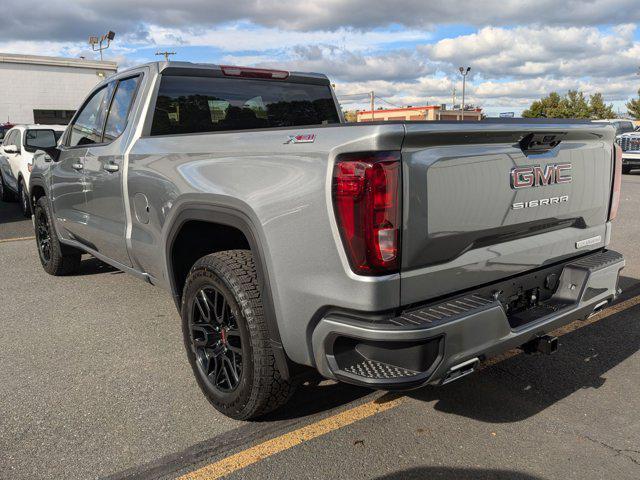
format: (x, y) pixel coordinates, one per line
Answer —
(444, 473)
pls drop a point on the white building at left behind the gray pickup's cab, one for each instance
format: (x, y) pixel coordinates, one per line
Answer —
(46, 90)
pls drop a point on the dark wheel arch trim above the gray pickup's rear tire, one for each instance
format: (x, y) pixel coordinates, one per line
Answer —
(228, 219)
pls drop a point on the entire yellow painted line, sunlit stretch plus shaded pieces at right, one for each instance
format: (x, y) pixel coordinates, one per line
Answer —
(288, 440)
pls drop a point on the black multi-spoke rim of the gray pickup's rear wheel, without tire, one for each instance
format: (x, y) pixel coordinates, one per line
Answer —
(216, 340)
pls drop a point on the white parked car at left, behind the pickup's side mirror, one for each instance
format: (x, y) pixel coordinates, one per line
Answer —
(16, 159)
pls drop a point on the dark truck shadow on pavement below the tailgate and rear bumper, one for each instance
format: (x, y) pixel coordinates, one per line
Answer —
(523, 386)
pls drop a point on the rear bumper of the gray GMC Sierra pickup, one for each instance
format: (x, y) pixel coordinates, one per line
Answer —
(443, 341)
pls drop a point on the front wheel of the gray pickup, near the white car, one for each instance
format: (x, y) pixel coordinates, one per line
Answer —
(54, 259)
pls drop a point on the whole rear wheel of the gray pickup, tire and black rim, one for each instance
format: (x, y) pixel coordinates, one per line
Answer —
(226, 339)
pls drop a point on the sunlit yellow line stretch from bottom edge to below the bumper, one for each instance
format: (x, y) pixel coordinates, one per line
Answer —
(291, 439)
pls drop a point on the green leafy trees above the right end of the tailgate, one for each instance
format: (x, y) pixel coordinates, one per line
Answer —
(572, 105)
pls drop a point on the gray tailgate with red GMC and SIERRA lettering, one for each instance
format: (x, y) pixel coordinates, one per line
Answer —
(484, 201)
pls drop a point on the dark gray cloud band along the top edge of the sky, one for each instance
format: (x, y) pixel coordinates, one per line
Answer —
(70, 19)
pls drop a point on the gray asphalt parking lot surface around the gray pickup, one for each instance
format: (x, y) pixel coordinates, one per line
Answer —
(94, 383)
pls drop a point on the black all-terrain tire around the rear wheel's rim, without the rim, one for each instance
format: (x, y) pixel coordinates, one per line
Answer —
(260, 388)
